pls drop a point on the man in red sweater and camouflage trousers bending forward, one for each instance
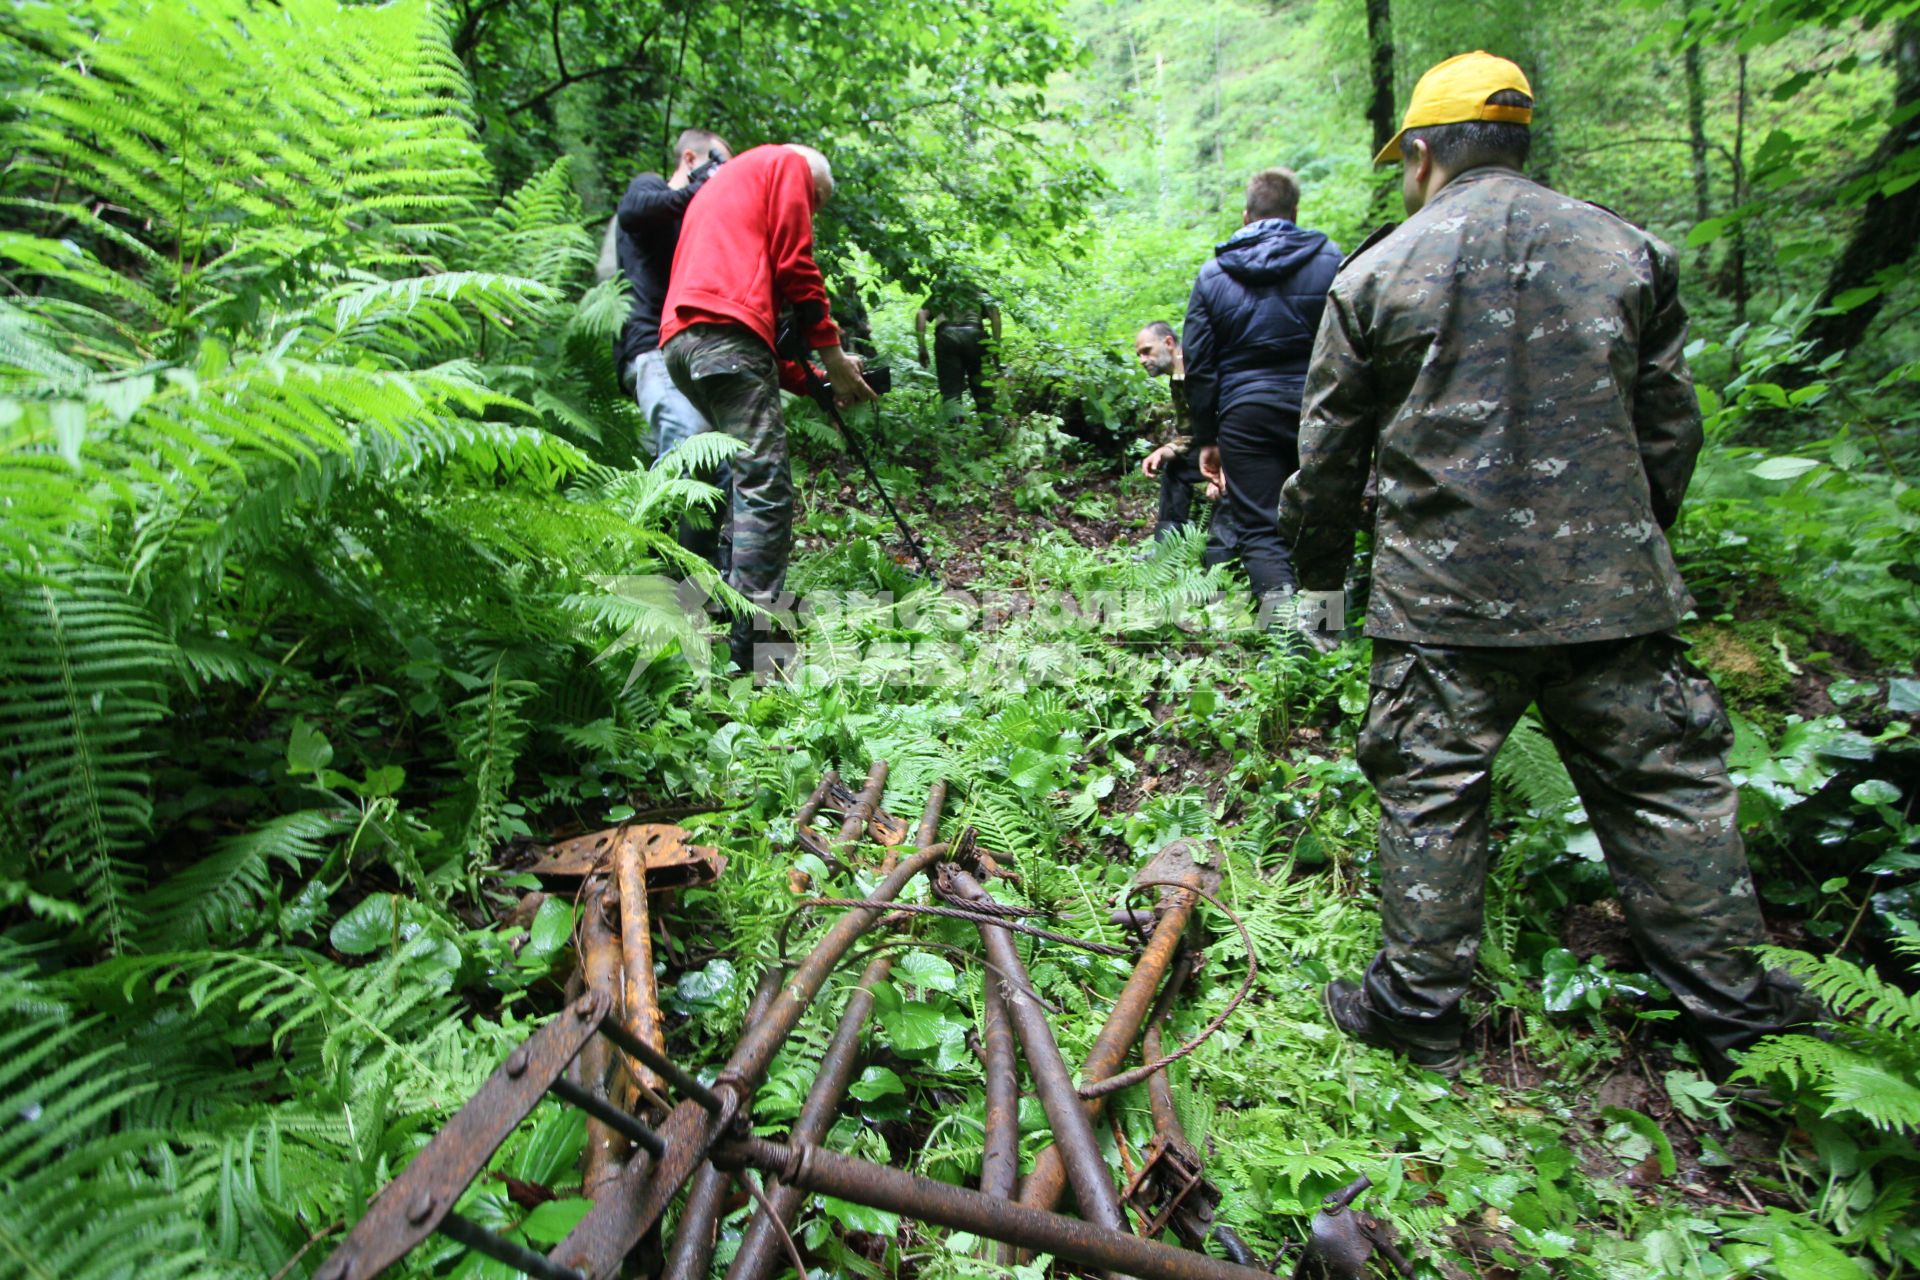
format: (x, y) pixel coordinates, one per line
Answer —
(746, 250)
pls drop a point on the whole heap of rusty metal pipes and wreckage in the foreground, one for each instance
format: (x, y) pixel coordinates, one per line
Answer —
(606, 1055)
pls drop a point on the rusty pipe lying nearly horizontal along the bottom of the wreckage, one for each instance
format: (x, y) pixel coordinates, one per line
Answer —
(957, 1208)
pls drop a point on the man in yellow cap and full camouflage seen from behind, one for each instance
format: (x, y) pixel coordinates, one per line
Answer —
(1510, 362)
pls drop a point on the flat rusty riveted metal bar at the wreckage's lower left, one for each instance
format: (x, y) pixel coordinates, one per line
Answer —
(418, 1202)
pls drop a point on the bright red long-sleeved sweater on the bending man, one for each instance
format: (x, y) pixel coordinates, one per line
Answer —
(748, 247)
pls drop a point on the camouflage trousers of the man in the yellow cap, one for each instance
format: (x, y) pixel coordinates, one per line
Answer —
(1644, 736)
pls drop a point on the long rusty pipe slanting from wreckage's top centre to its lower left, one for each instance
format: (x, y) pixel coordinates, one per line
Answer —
(636, 1200)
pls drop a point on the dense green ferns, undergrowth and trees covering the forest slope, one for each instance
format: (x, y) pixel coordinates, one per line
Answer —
(331, 581)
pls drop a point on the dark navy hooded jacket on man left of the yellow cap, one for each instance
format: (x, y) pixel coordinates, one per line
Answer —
(1253, 318)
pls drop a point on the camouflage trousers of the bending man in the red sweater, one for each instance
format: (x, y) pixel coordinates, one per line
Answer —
(731, 377)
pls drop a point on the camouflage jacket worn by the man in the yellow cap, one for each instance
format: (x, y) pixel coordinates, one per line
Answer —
(1512, 362)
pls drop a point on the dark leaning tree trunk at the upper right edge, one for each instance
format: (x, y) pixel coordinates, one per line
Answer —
(1890, 225)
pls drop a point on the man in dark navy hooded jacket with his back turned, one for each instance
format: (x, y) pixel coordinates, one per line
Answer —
(1251, 329)
